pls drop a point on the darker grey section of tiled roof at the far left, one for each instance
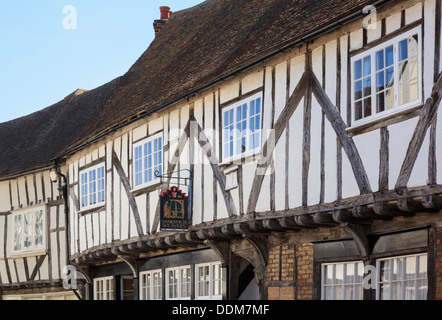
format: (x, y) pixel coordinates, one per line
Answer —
(31, 142)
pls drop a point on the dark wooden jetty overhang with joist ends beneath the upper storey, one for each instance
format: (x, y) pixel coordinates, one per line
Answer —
(355, 215)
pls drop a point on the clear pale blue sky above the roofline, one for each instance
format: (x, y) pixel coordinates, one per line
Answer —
(41, 61)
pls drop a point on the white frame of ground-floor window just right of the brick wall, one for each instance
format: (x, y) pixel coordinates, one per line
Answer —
(355, 285)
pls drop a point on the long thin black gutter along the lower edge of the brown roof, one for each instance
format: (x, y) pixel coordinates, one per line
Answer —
(303, 39)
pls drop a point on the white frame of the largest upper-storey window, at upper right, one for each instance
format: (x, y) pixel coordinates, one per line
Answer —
(372, 53)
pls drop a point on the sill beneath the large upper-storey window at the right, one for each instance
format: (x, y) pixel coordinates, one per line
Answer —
(384, 120)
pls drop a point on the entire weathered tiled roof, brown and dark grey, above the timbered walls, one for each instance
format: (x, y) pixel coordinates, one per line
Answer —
(197, 47)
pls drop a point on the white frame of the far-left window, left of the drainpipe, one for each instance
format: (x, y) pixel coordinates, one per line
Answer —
(18, 232)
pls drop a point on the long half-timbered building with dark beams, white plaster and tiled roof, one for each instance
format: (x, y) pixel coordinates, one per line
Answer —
(279, 149)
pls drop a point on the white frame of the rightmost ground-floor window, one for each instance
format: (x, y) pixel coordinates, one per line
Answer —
(401, 281)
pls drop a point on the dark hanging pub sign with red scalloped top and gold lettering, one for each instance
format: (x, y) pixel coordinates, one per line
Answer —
(174, 210)
